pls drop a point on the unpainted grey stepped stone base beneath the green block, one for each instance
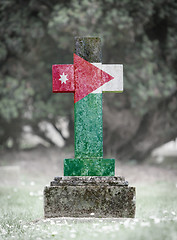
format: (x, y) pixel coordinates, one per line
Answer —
(106, 197)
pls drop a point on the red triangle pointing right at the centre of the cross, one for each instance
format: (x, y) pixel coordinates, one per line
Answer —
(87, 78)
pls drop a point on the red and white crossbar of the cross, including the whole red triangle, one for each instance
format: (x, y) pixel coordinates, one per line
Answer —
(83, 78)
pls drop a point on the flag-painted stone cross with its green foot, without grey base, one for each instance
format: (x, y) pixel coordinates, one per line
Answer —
(87, 78)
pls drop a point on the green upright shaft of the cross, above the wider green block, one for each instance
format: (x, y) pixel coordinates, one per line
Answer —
(88, 127)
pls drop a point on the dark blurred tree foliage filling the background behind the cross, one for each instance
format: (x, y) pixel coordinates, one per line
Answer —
(141, 35)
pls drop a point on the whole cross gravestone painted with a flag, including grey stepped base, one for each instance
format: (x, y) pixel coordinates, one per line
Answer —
(88, 187)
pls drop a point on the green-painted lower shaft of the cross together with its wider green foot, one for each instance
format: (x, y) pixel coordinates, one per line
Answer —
(88, 159)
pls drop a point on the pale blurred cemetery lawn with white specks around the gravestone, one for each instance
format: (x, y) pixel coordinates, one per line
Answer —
(21, 202)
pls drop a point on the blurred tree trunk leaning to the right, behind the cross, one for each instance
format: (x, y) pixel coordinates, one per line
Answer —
(156, 127)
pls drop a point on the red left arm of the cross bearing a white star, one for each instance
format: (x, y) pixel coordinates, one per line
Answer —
(63, 78)
